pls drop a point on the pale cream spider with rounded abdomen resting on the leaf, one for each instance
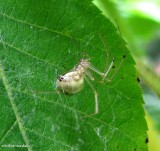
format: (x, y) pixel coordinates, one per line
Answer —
(73, 81)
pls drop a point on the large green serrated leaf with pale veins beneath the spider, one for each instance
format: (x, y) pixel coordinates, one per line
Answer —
(41, 40)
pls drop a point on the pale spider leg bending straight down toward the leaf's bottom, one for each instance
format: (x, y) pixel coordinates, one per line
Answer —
(95, 95)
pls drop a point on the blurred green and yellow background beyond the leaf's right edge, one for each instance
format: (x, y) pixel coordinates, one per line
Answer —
(139, 22)
